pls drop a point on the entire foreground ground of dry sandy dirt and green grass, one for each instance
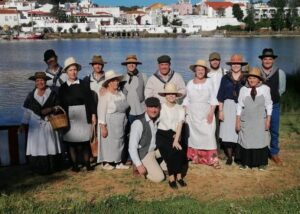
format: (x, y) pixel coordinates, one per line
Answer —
(228, 190)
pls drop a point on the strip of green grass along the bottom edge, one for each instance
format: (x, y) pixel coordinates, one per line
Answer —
(287, 202)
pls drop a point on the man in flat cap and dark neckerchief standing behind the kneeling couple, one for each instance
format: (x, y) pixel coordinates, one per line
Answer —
(165, 74)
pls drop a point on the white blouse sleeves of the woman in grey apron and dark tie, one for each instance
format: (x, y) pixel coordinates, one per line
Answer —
(261, 90)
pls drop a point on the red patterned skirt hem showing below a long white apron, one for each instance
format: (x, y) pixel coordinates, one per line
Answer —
(199, 156)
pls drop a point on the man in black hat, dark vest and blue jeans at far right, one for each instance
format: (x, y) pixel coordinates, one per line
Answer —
(276, 80)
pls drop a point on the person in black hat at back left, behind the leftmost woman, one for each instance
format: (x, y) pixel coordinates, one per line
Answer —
(54, 70)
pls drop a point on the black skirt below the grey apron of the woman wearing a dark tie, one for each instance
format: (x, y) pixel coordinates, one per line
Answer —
(253, 157)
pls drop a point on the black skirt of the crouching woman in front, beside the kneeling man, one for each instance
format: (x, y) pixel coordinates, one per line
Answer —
(174, 158)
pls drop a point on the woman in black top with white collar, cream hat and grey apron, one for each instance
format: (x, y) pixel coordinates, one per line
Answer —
(77, 100)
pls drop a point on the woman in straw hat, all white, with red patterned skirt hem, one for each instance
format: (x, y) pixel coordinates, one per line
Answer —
(200, 103)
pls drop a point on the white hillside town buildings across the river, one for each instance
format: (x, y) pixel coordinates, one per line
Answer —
(86, 16)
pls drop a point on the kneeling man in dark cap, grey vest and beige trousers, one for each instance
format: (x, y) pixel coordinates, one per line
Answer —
(142, 145)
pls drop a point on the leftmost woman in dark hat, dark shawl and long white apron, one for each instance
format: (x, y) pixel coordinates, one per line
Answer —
(43, 146)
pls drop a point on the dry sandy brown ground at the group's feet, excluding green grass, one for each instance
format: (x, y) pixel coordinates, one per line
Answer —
(204, 183)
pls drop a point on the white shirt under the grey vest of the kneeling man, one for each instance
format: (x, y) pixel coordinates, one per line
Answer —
(136, 135)
